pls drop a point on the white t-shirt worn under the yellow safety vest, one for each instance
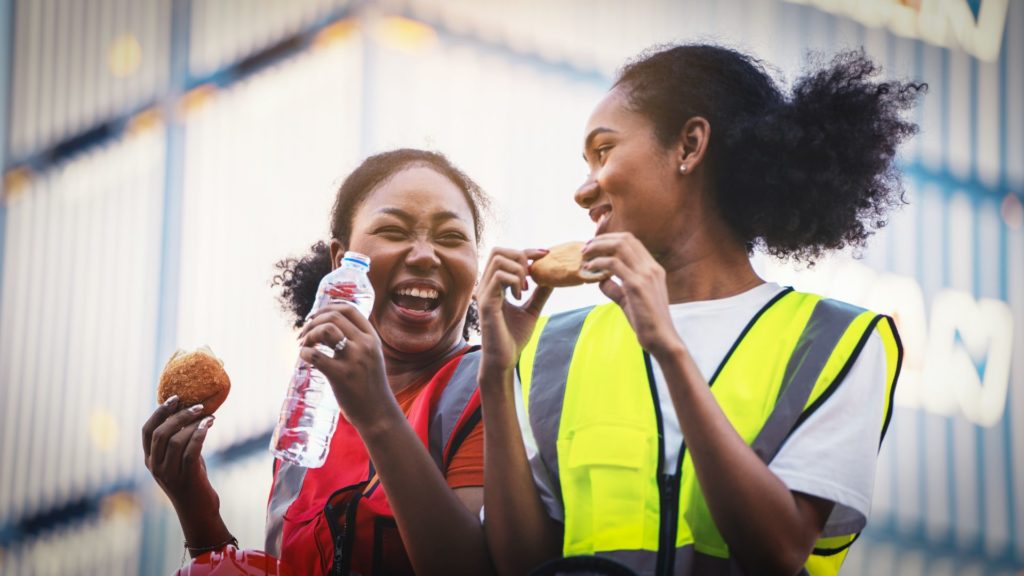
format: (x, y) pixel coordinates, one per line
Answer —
(832, 456)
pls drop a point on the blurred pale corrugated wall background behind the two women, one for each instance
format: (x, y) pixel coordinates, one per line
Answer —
(159, 156)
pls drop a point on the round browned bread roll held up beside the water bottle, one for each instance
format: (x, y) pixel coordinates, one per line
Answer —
(198, 378)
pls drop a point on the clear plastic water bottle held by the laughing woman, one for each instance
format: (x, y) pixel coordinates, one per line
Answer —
(310, 415)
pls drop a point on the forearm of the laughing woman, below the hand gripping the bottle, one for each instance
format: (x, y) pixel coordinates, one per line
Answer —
(441, 534)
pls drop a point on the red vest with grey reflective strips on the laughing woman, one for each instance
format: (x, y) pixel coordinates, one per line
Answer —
(336, 519)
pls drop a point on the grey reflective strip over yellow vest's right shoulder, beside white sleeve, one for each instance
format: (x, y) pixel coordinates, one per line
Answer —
(825, 328)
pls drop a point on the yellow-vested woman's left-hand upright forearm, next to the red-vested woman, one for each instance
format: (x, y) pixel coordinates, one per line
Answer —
(520, 532)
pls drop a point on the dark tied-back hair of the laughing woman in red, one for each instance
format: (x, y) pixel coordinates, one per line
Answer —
(300, 277)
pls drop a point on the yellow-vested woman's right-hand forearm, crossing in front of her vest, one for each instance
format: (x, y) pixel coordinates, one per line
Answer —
(764, 524)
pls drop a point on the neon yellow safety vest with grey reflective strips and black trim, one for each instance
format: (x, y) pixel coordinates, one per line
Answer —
(595, 418)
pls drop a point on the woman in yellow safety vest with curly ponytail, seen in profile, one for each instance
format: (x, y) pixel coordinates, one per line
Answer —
(705, 422)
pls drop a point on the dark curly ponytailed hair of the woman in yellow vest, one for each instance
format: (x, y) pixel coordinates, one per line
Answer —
(794, 176)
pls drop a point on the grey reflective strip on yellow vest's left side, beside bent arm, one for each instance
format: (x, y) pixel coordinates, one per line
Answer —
(547, 388)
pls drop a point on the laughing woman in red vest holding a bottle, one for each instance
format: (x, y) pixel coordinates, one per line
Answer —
(406, 382)
